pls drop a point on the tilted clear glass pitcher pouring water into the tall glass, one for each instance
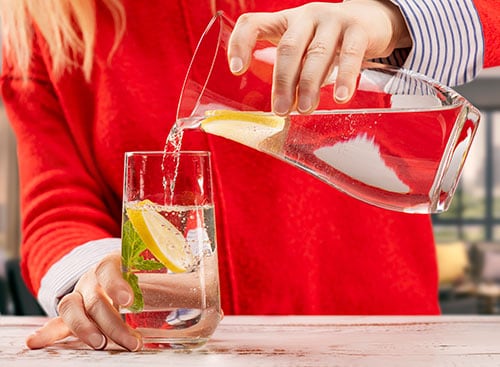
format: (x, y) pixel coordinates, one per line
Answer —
(400, 143)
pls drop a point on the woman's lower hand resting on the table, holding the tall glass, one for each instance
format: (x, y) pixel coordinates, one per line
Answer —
(89, 312)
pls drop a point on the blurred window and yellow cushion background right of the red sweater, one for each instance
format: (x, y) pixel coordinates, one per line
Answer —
(468, 234)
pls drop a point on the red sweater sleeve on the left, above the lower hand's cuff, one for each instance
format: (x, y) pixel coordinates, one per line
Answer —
(62, 200)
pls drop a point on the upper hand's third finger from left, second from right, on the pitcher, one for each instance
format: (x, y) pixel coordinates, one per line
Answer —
(316, 66)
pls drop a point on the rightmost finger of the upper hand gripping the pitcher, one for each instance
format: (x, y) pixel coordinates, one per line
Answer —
(351, 57)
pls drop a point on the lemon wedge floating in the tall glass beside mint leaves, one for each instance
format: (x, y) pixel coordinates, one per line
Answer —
(161, 237)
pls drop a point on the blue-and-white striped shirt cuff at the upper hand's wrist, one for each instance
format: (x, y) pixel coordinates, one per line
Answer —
(448, 43)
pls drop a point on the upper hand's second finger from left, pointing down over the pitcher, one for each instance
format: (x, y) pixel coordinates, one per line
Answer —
(289, 54)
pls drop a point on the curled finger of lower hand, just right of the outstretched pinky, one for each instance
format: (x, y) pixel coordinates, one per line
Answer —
(72, 312)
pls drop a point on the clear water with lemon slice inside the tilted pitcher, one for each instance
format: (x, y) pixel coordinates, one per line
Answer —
(389, 158)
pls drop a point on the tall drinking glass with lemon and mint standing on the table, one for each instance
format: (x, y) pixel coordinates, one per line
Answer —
(169, 250)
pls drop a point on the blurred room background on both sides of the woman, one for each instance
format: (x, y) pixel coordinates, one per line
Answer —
(467, 236)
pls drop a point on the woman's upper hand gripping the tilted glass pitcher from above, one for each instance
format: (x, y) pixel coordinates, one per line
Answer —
(311, 39)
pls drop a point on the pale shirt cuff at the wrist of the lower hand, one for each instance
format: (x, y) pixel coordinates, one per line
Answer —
(63, 275)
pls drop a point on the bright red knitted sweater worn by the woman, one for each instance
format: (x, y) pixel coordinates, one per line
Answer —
(288, 243)
